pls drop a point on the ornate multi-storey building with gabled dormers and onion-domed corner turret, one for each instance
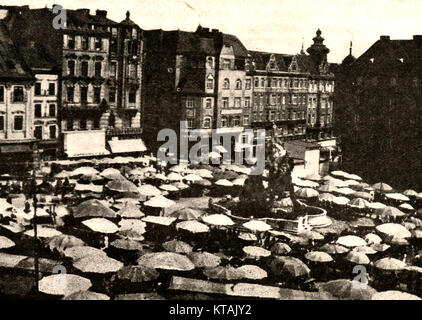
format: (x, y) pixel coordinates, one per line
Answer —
(293, 94)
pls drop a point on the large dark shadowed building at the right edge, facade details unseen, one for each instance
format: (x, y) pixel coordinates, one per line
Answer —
(378, 120)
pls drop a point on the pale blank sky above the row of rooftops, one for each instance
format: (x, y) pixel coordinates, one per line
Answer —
(274, 25)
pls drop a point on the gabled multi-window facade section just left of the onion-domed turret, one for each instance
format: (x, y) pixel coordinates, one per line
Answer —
(280, 87)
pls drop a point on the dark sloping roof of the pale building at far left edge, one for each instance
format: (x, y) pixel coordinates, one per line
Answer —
(11, 64)
